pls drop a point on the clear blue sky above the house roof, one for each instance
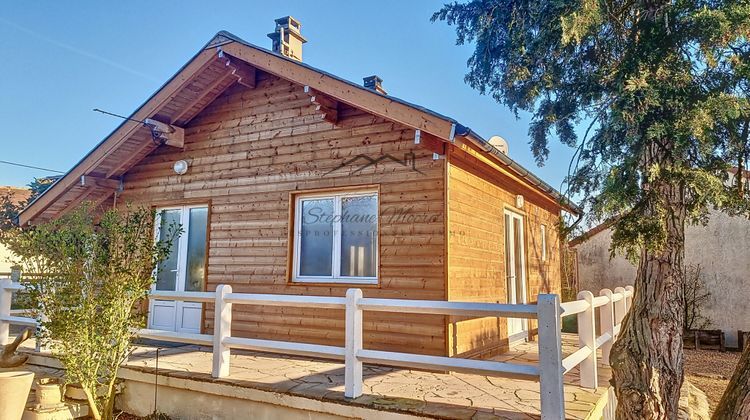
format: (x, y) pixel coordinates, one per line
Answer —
(62, 59)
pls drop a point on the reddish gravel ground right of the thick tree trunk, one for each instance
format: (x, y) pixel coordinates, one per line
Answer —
(710, 371)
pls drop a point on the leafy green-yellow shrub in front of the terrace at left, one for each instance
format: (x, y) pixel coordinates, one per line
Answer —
(97, 268)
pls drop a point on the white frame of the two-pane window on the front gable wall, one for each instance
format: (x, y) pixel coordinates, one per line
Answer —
(335, 276)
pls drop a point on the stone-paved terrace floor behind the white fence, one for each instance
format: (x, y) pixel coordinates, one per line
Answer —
(428, 394)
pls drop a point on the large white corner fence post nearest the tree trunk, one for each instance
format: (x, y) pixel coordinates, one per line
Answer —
(550, 357)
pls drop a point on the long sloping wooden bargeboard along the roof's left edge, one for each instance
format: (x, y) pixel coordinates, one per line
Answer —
(202, 60)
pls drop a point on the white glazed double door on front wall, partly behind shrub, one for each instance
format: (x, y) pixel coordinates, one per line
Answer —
(183, 270)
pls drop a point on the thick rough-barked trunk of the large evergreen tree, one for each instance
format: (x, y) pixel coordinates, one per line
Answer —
(647, 358)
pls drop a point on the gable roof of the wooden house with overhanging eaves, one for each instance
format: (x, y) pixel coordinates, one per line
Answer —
(205, 76)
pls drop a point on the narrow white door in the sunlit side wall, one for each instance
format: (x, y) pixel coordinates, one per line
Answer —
(515, 271)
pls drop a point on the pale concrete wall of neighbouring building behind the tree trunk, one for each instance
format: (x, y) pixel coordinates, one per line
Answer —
(722, 248)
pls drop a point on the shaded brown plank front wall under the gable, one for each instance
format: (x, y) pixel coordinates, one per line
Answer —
(248, 151)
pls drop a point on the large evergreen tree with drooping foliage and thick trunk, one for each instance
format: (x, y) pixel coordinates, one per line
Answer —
(661, 89)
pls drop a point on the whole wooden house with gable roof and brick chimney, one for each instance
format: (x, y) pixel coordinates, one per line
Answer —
(290, 180)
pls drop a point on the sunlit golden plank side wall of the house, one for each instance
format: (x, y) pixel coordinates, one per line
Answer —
(477, 198)
